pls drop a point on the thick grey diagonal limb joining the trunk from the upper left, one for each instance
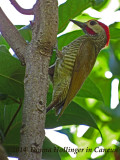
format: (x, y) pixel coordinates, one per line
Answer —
(12, 36)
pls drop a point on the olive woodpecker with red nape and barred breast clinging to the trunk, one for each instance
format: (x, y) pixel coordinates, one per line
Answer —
(75, 62)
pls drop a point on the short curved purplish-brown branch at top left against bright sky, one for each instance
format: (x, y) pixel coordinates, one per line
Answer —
(20, 9)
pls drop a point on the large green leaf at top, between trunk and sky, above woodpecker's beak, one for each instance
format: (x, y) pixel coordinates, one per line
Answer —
(71, 9)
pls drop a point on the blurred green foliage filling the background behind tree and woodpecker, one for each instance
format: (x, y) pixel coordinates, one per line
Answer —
(91, 106)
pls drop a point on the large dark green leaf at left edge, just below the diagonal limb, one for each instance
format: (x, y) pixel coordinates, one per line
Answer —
(11, 74)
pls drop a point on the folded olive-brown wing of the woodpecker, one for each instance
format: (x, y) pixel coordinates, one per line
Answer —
(84, 63)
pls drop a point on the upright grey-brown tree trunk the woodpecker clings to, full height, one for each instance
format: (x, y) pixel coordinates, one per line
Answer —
(45, 27)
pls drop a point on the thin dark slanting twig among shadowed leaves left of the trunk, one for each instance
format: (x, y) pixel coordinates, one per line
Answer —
(13, 118)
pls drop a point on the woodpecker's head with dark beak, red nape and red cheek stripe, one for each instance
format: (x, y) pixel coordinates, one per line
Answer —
(94, 27)
